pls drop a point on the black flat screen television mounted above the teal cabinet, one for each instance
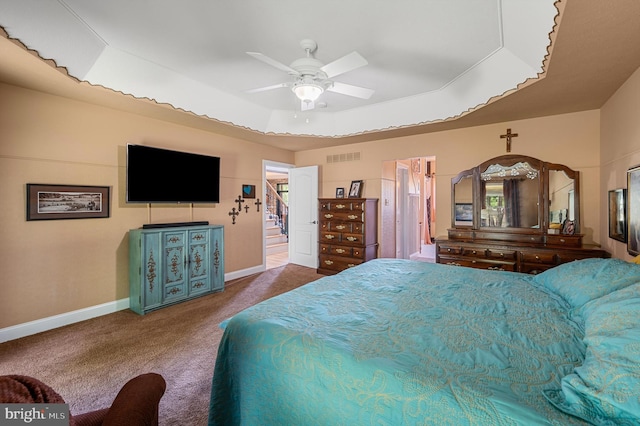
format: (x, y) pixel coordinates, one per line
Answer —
(157, 175)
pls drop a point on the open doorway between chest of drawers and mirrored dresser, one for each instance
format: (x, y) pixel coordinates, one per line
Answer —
(408, 209)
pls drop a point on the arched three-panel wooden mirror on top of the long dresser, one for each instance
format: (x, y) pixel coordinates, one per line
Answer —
(513, 193)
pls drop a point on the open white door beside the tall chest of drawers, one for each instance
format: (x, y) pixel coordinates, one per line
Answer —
(303, 216)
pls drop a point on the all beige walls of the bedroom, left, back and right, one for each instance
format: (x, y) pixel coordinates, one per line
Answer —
(55, 267)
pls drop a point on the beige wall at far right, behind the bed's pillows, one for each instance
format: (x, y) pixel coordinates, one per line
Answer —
(620, 150)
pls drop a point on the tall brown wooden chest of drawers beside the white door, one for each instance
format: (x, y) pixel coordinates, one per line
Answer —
(348, 234)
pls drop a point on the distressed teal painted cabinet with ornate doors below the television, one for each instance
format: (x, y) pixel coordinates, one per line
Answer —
(171, 265)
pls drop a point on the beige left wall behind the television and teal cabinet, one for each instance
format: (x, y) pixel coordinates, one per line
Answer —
(54, 267)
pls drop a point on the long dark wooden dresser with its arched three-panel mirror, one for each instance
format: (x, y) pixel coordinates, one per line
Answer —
(515, 213)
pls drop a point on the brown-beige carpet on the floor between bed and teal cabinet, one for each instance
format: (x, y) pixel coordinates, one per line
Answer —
(88, 362)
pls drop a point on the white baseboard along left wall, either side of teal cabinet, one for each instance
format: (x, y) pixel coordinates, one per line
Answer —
(49, 323)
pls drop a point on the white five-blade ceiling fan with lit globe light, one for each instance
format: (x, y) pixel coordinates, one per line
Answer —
(311, 77)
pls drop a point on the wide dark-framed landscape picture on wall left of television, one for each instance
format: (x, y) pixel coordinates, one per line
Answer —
(55, 202)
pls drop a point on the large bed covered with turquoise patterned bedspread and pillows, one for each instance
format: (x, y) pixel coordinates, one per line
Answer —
(395, 342)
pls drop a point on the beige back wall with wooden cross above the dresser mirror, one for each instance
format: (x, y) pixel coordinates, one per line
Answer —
(571, 139)
